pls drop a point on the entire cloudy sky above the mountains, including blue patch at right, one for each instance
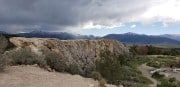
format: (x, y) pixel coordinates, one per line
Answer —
(91, 17)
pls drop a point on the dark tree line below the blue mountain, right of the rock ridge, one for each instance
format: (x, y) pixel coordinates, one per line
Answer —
(152, 50)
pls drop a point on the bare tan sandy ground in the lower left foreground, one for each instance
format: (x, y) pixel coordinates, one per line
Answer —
(32, 76)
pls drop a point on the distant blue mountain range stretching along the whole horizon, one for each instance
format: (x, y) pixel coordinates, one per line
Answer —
(127, 38)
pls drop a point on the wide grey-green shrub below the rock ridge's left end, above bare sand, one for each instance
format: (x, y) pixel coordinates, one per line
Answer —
(24, 56)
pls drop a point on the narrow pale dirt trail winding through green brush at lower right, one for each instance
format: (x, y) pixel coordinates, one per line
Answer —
(145, 71)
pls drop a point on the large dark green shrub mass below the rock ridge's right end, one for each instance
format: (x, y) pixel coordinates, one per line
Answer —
(116, 72)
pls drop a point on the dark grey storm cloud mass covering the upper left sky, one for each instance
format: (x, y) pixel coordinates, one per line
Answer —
(20, 15)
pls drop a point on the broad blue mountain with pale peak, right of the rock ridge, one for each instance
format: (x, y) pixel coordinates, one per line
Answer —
(132, 38)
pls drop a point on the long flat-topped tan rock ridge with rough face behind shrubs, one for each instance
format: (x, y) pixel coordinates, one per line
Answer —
(82, 53)
